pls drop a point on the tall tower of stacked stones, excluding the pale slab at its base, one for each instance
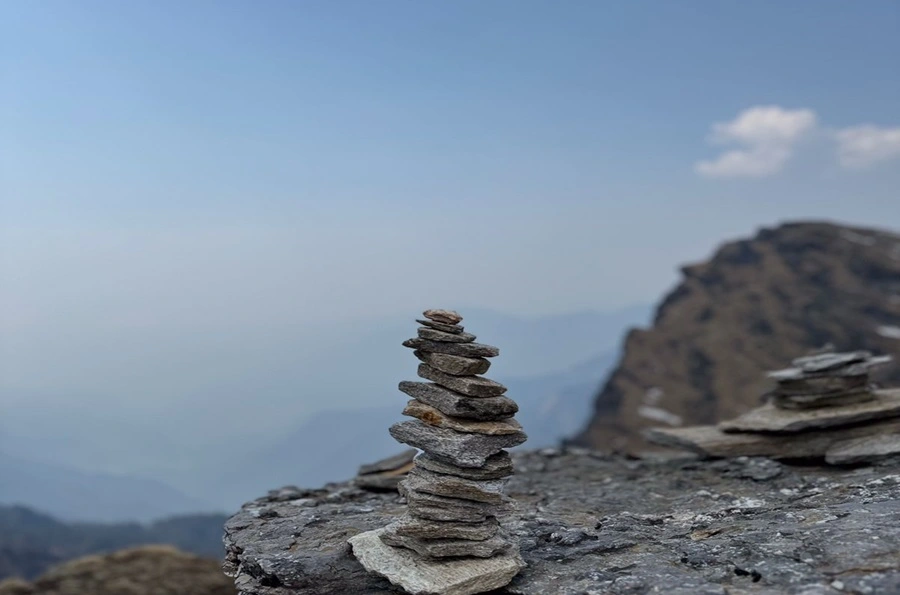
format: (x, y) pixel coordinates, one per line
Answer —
(463, 423)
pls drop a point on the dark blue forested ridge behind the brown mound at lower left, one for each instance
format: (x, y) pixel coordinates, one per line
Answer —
(31, 542)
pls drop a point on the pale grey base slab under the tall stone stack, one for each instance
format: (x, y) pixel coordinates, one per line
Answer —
(406, 569)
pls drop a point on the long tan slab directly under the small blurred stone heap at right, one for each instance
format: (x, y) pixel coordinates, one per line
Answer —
(768, 418)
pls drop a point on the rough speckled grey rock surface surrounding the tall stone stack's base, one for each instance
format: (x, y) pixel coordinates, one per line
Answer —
(589, 524)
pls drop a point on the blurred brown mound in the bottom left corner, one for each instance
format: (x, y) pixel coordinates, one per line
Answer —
(148, 570)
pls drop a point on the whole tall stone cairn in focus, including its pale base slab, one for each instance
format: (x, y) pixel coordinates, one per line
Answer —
(450, 536)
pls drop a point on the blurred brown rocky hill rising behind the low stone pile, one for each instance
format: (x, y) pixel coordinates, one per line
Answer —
(756, 304)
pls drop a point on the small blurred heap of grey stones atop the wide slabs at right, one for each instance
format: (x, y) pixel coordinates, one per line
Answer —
(825, 380)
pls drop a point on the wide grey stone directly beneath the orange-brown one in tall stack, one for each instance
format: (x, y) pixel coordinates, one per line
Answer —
(463, 450)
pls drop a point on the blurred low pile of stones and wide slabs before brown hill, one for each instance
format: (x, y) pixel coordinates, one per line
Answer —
(823, 407)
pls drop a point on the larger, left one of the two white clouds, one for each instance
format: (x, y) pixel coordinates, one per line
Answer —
(768, 135)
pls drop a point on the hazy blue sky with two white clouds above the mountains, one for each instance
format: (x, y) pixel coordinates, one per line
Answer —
(174, 170)
